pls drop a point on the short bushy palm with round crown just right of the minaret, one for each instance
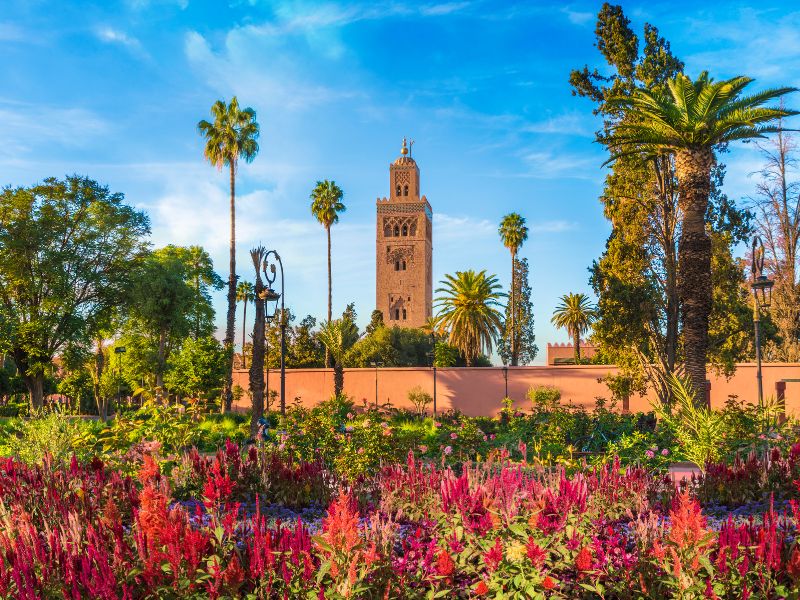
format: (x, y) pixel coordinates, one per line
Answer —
(467, 310)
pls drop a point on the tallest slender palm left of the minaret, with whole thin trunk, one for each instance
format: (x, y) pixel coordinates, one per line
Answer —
(231, 137)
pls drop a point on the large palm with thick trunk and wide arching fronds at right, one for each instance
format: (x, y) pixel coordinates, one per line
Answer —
(690, 120)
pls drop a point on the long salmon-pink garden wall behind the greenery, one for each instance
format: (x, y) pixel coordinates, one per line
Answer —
(477, 391)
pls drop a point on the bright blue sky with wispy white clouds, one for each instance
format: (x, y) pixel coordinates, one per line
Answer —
(114, 90)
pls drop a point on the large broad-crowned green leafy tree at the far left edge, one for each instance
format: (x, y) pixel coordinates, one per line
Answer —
(67, 249)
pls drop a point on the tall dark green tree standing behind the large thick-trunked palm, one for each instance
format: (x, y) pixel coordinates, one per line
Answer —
(636, 278)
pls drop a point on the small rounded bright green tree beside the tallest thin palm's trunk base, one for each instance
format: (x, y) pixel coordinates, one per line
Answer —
(198, 368)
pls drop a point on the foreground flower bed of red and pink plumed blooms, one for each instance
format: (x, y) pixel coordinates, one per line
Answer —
(413, 530)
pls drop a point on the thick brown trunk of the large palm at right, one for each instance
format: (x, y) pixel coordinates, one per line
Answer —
(693, 168)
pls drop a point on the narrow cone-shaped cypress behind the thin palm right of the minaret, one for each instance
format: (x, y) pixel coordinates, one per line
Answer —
(522, 323)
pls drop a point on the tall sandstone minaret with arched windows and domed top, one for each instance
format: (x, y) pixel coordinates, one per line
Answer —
(404, 247)
